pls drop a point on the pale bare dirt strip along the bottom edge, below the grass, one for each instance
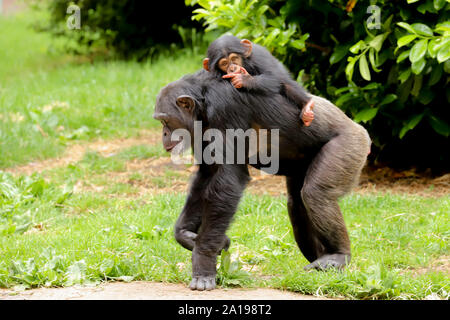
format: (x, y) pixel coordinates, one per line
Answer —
(140, 290)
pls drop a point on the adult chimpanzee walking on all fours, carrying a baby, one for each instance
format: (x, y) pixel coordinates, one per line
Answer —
(321, 163)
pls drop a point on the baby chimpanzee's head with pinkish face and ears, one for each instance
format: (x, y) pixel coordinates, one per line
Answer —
(227, 54)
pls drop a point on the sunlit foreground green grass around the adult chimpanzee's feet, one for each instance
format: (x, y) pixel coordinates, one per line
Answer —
(51, 237)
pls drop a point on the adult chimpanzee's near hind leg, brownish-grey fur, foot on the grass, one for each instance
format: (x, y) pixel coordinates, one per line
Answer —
(331, 174)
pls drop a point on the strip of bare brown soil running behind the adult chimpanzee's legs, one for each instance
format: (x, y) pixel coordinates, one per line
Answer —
(160, 175)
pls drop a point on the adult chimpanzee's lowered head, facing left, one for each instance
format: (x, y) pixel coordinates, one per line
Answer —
(175, 109)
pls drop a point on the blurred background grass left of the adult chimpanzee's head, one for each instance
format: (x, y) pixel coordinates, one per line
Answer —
(48, 99)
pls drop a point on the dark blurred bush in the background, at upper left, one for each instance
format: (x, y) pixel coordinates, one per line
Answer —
(127, 27)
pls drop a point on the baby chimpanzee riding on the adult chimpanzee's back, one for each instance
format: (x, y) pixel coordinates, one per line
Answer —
(252, 67)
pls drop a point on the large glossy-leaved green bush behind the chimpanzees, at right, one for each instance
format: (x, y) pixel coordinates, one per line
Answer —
(392, 77)
